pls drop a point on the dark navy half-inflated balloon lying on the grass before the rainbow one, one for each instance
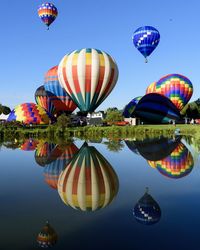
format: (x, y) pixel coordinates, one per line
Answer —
(155, 108)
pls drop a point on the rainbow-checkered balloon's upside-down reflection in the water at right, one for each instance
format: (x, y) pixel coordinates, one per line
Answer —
(177, 165)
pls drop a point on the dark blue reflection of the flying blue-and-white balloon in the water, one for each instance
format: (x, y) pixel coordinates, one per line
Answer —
(147, 210)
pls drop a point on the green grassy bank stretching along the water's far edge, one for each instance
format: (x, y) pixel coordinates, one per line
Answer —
(88, 132)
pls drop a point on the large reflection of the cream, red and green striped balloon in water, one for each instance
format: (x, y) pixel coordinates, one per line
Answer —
(89, 182)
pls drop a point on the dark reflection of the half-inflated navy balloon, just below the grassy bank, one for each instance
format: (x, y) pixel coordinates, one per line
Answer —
(154, 149)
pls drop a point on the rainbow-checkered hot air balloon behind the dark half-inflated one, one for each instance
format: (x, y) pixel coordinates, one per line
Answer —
(177, 88)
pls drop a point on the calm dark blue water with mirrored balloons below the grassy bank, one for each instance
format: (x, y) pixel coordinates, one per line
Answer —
(91, 195)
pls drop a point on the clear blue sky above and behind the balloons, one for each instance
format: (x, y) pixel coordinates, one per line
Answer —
(29, 50)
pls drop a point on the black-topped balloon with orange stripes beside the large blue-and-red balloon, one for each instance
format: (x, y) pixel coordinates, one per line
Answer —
(42, 98)
